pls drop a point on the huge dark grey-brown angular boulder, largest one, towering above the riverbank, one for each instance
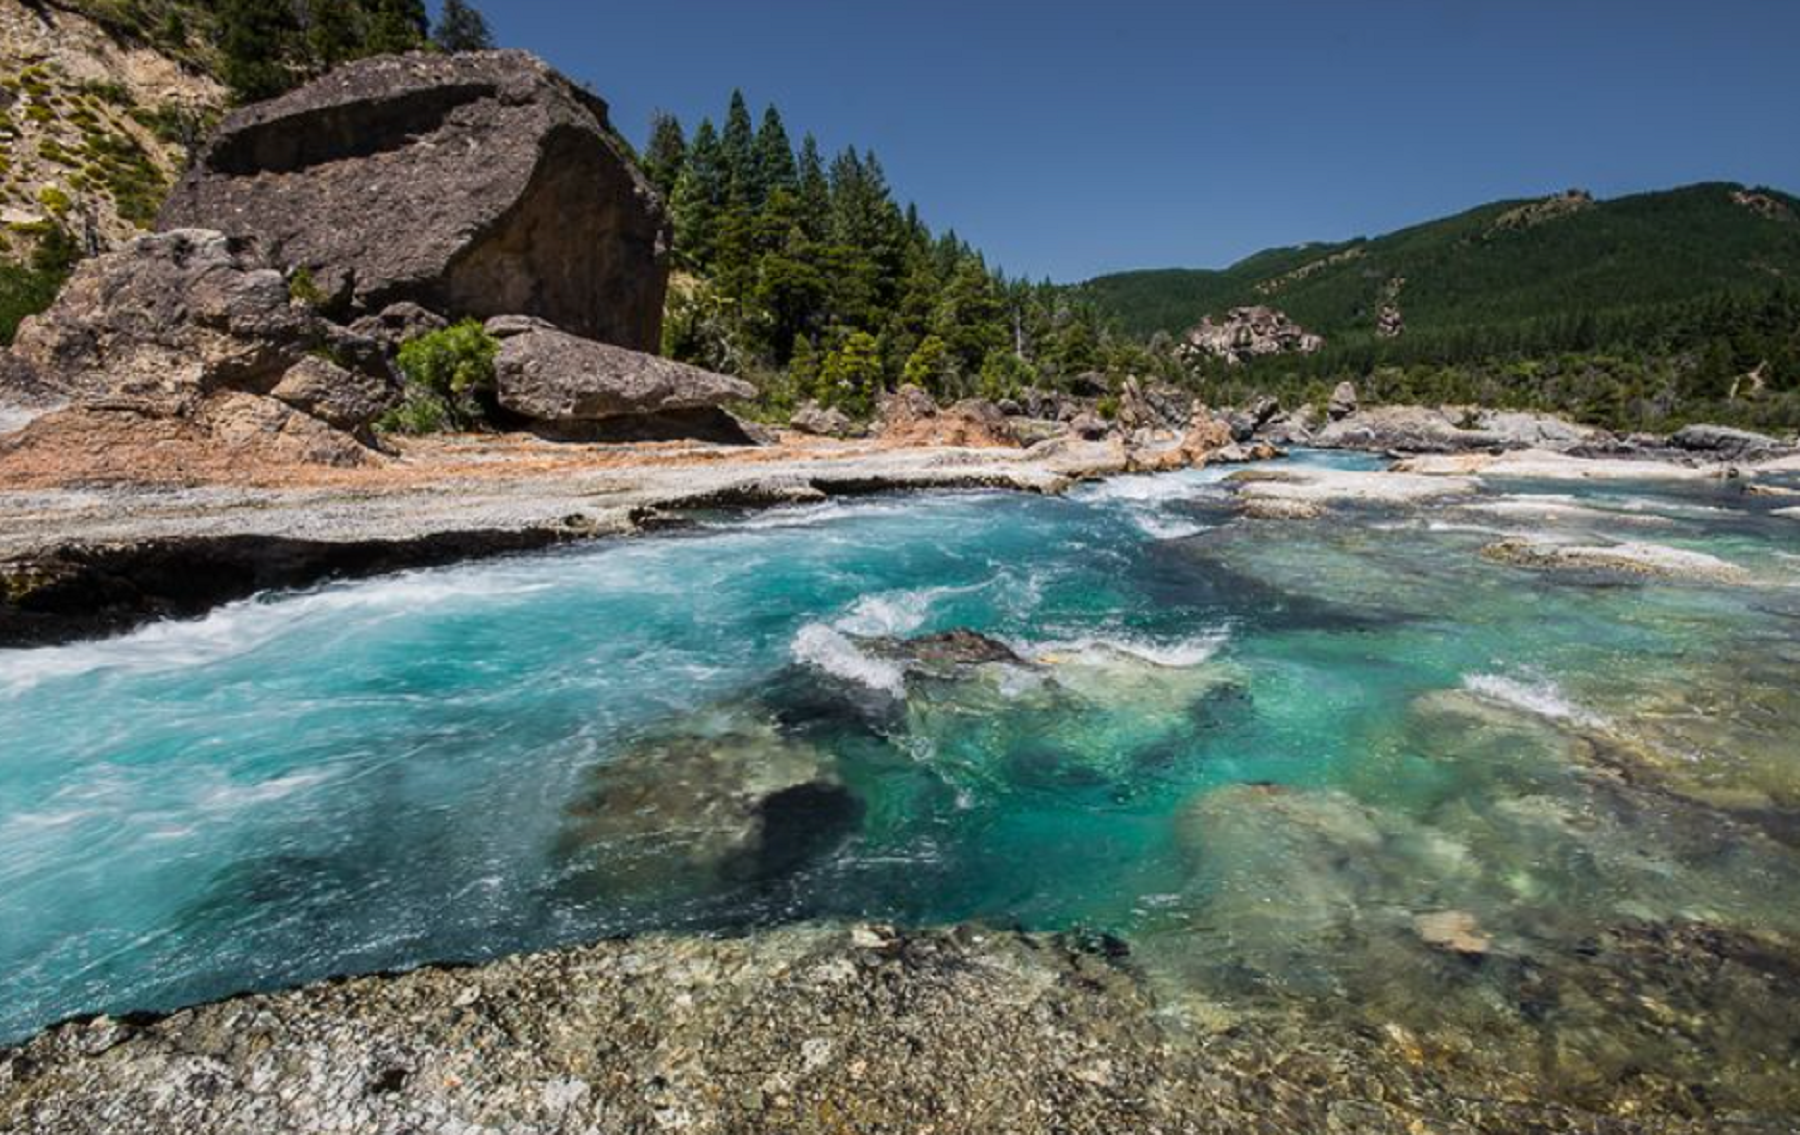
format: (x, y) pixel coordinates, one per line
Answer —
(472, 184)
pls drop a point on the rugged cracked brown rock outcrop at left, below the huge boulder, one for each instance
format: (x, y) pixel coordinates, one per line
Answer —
(199, 326)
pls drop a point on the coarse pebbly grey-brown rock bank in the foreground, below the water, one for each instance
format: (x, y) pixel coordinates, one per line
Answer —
(804, 1030)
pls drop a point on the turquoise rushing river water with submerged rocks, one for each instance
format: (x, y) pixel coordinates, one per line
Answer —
(1290, 764)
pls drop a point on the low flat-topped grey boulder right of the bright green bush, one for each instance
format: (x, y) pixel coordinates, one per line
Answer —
(562, 380)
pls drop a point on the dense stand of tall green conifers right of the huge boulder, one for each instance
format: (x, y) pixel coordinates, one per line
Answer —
(807, 276)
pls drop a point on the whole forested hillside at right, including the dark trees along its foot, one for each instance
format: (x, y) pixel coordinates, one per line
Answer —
(1641, 312)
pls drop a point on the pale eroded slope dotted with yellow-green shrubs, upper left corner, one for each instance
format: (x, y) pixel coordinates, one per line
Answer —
(94, 129)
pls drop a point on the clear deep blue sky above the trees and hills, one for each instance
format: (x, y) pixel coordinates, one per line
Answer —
(1072, 139)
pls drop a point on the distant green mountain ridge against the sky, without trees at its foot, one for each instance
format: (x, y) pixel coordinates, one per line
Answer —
(1502, 265)
